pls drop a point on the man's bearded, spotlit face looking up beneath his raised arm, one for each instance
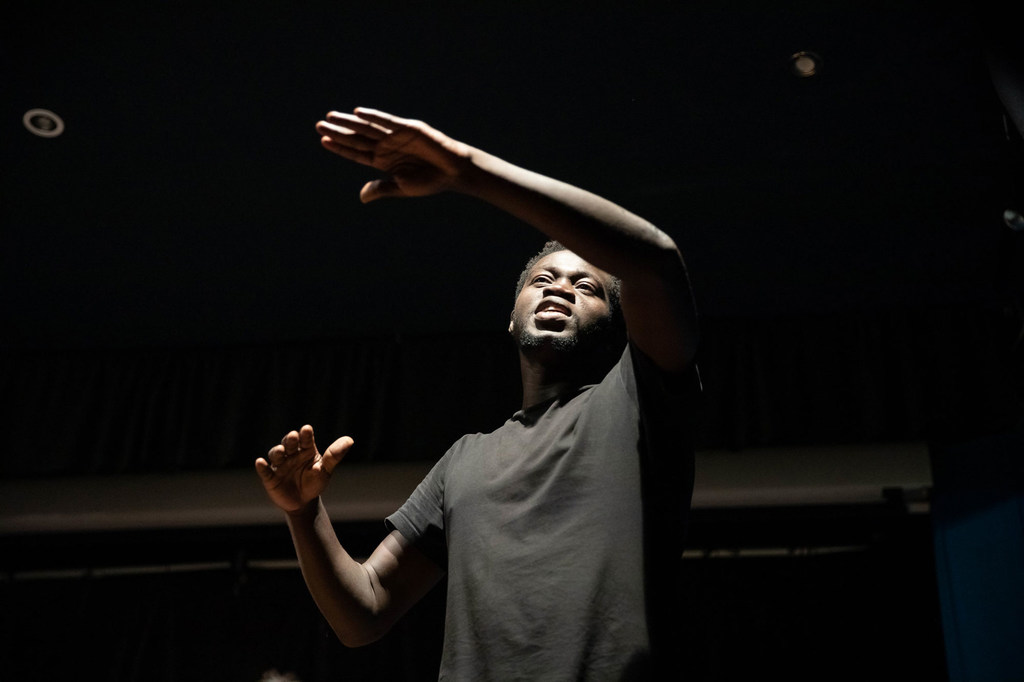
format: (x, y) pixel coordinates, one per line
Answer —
(564, 304)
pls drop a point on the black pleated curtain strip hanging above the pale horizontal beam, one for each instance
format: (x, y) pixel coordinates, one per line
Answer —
(883, 376)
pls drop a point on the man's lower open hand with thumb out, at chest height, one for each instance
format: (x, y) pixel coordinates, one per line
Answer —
(294, 474)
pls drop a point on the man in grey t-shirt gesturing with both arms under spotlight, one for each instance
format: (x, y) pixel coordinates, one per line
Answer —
(561, 533)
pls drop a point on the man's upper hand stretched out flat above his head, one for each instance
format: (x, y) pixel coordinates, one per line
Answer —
(418, 159)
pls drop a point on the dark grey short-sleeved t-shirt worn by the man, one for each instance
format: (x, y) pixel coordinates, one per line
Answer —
(541, 527)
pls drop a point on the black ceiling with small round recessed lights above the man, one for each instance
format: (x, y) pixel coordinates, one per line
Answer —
(189, 201)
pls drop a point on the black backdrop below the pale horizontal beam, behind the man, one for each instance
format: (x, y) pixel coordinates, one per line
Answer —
(806, 594)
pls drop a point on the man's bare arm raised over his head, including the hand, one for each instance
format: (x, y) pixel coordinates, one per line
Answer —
(418, 160)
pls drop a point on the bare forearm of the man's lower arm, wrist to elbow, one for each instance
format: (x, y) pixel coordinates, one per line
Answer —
(342, 587)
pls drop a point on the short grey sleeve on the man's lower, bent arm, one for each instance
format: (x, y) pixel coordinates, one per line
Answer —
(421, 519)
